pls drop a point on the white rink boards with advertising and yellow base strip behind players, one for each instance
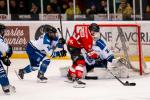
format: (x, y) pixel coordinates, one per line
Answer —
(18, 34)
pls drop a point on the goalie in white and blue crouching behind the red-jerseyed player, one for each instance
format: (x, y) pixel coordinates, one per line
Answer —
(105, 56)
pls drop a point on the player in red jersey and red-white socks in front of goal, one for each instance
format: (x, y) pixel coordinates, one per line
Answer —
(81, 40)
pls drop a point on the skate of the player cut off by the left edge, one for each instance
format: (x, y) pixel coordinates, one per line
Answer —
(9, 89)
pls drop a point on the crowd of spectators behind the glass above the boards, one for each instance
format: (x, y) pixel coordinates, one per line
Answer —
(83, 7)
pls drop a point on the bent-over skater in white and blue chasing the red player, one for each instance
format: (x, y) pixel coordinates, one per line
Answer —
(37, 51)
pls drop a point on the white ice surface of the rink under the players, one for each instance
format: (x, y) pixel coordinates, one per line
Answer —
(57, 89)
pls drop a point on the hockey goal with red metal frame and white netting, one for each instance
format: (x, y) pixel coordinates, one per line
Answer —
(124, 40)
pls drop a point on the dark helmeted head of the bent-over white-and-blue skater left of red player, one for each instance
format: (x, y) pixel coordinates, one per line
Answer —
(52, 32)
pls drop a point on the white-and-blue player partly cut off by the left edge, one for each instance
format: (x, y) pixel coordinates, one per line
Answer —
(5, 54)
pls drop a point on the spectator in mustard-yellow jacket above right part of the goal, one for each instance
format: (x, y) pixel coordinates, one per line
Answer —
(125, 9)
